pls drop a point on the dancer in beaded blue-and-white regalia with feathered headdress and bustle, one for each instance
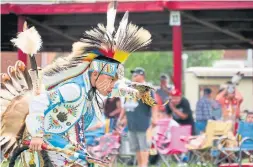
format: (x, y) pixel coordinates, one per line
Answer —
(55, 116)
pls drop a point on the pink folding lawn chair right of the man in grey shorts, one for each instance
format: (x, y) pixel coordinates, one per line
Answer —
(171, 144)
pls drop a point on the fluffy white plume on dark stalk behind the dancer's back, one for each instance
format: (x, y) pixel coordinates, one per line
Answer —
(29, 41)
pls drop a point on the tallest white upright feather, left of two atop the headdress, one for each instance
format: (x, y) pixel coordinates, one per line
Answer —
(111, 14)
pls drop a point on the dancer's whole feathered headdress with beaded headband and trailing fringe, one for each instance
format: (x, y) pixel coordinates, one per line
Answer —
(102, 41)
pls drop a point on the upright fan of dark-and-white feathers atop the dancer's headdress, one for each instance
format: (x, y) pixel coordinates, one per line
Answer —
(117, 45)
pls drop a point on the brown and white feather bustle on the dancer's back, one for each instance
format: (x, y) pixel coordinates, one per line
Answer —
(14, 106)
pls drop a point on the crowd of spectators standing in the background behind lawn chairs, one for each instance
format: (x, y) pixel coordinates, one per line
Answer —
(139, 118)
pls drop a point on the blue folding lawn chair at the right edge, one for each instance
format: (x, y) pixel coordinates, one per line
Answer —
(243, 146)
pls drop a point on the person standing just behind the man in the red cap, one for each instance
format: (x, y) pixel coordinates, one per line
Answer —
(164, 90)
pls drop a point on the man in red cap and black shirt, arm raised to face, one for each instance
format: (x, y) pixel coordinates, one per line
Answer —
(180, 109)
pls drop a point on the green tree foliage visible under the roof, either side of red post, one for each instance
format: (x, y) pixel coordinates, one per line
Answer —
(156, 63)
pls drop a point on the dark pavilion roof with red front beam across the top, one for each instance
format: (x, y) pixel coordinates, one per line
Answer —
(221, 26)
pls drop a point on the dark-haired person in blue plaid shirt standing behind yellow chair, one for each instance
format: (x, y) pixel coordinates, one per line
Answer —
(203, 111)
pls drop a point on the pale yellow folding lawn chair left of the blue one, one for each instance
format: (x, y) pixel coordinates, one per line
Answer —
(202, 145)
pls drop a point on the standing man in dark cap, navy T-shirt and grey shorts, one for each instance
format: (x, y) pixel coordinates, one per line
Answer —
(138, 121)
